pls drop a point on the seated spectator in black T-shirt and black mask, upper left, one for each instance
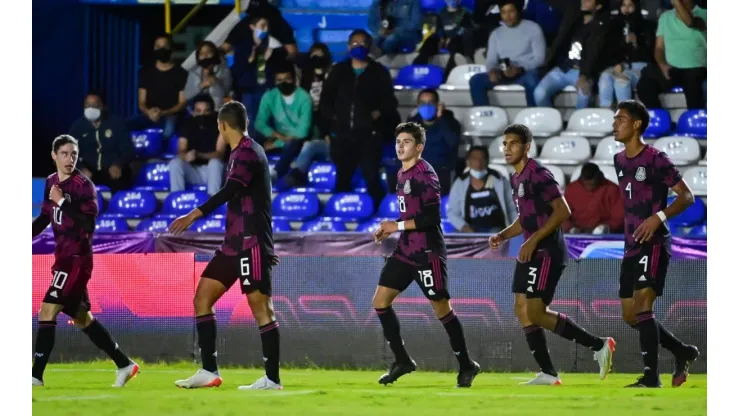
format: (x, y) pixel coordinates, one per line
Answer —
(161, 92)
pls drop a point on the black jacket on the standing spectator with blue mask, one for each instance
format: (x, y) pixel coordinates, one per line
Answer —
(347, 100)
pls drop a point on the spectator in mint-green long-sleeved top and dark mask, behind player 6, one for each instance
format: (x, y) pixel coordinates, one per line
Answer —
(284, 118)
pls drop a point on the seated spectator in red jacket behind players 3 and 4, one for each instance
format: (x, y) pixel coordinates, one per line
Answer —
(595, 203)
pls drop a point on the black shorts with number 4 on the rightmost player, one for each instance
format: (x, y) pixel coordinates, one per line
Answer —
(646, 269)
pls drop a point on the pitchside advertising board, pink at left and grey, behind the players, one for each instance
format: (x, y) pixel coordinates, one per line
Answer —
(323, 304)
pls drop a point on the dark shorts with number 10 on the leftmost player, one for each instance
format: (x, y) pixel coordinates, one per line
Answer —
(69, 284)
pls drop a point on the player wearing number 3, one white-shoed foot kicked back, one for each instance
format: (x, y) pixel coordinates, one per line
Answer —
(541, 261)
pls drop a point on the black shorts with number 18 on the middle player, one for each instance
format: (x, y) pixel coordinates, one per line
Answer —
(431, 276)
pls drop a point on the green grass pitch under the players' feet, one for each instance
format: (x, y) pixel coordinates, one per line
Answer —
(84, 389)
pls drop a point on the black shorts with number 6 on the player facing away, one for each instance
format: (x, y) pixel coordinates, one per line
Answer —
(250, 268)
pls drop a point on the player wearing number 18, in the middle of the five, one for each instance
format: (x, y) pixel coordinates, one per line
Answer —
(421, 256)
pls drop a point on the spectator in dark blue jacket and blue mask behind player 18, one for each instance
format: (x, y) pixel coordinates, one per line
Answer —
(443, 135)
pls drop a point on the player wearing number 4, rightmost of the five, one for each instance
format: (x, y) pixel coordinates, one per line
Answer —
(645, 174)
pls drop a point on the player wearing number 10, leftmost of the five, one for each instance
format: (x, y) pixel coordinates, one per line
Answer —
(71, 208)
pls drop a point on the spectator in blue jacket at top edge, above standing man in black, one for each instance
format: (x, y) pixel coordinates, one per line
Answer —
(396, 24)
